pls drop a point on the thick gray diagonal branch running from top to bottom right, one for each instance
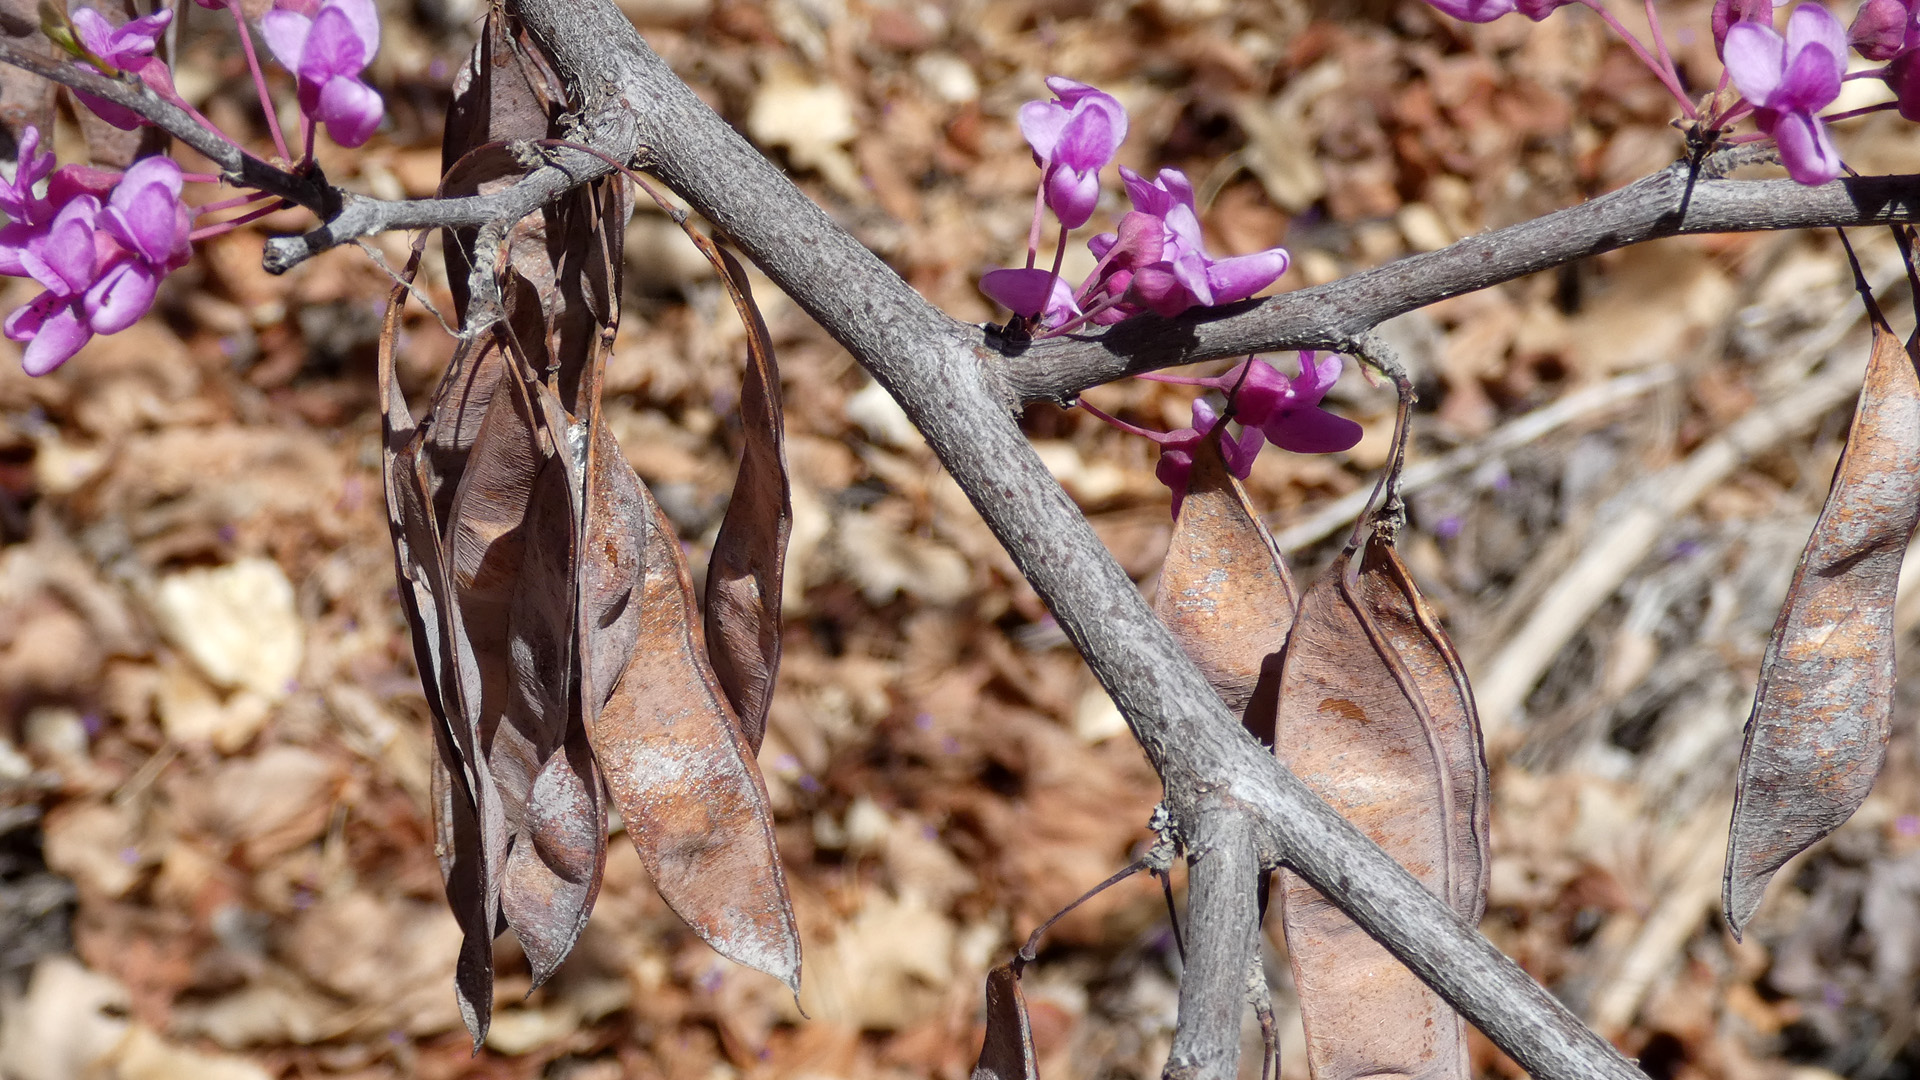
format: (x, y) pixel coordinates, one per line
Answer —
(1220, 783)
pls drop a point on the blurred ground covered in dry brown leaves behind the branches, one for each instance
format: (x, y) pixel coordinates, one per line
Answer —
(216, 856)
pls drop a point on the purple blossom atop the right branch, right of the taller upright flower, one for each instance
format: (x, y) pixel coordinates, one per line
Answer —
(1157, 260)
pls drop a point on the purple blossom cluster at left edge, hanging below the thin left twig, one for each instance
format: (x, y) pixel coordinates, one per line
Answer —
(101, 264)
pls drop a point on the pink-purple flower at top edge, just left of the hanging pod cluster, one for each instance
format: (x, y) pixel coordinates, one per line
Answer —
(329, 47)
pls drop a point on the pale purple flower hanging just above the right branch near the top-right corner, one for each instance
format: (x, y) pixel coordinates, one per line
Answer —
(1788, 82)
